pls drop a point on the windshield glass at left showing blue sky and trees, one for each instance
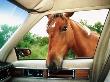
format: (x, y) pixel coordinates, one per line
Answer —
(11, 17)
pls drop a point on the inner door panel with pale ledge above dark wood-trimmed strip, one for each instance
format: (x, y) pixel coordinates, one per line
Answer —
(72, 69)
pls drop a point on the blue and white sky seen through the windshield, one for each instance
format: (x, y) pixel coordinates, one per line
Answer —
(11, 14)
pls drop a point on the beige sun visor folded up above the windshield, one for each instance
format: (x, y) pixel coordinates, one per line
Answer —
(34, 5)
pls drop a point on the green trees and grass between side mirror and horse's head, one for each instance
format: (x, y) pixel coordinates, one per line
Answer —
(38, 46)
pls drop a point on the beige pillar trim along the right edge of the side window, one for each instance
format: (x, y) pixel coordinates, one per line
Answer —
(101, 52)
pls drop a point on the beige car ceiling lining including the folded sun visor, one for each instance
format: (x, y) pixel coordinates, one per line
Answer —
(60, 5)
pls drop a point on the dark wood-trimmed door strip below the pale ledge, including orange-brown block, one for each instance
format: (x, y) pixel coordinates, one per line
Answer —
(45, 73)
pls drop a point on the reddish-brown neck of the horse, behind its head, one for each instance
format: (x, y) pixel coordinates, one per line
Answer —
(80, 46)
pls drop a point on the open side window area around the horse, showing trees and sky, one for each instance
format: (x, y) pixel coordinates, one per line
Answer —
(37, 39)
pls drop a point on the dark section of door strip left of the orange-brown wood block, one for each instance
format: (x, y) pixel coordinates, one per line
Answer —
(43, 73)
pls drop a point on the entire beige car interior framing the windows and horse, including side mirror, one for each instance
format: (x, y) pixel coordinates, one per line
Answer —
(75, 70)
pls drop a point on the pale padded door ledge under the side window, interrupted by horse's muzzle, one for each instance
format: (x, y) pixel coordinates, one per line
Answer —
(67, 64)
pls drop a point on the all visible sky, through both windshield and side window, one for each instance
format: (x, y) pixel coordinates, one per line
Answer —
(12, 15)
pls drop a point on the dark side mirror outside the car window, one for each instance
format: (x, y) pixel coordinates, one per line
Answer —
(22, 52)
